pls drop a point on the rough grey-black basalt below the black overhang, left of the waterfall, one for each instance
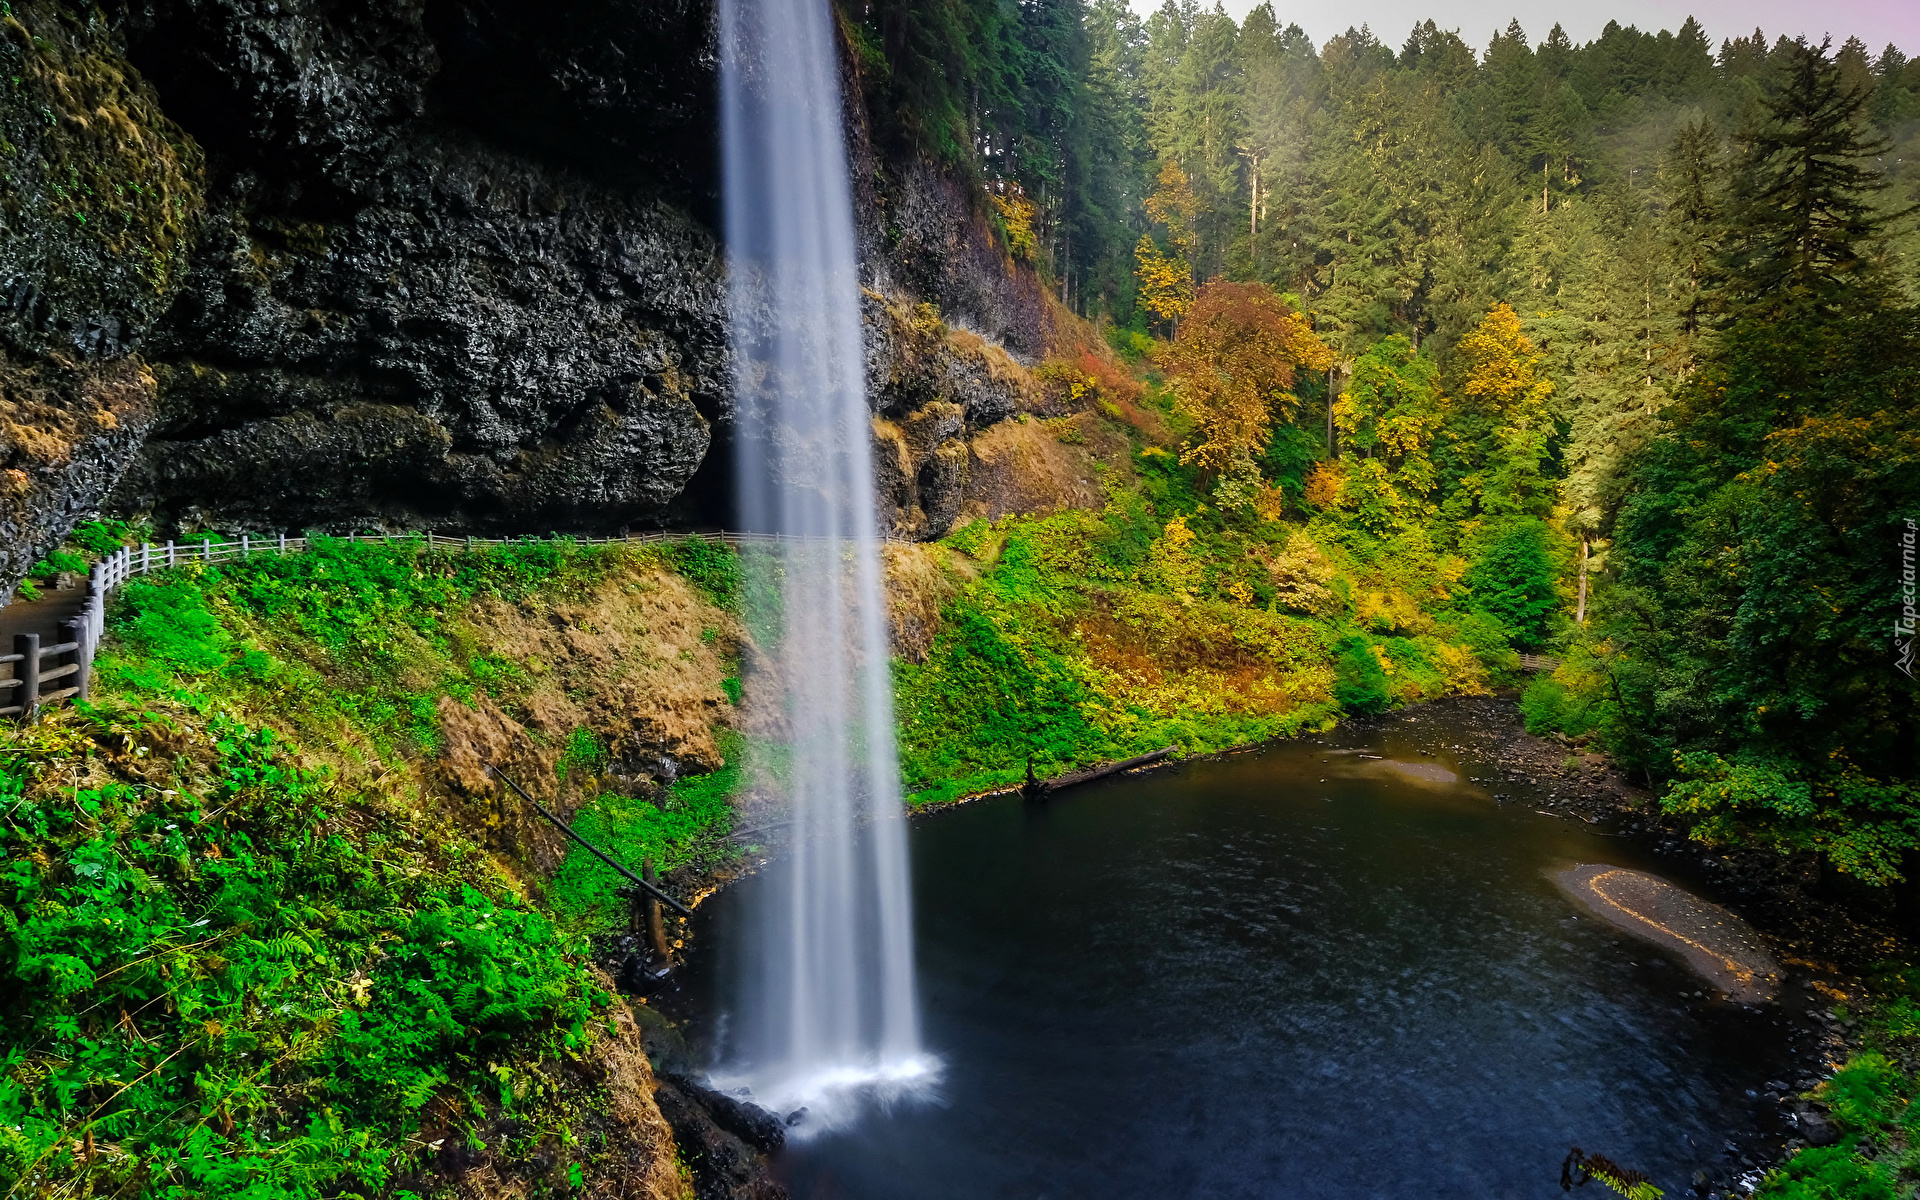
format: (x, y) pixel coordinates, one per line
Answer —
(483, 345)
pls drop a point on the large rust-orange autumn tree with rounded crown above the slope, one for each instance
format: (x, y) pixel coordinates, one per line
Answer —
(1234, 368)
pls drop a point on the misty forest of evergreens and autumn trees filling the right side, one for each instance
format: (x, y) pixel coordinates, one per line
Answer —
(1625, 331)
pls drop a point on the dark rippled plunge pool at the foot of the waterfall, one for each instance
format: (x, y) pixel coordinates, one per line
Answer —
(1236, 980)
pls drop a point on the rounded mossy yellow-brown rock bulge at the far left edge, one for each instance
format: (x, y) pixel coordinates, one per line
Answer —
(99, 206)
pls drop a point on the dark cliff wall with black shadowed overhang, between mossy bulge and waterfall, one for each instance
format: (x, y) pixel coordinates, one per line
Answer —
(402, 316)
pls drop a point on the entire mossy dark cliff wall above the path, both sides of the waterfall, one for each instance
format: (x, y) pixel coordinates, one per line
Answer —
(285, 264)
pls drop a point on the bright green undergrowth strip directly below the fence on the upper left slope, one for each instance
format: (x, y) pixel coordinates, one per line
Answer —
(343, 644)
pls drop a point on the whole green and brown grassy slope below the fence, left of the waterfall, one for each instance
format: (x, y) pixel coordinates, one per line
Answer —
(297, 965)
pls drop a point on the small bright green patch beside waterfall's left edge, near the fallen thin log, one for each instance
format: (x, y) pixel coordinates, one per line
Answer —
(686, 827)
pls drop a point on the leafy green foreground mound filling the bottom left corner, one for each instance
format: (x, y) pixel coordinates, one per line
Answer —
(229, 976)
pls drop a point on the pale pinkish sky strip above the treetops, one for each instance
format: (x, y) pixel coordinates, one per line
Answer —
(1877, 22)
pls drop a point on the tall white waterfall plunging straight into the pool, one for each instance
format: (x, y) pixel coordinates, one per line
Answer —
(830, 1003)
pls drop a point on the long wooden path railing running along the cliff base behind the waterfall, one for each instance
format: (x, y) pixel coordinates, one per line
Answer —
(80, 638)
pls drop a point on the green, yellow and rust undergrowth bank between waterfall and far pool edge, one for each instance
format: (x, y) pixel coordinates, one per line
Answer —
(1168, 621)
